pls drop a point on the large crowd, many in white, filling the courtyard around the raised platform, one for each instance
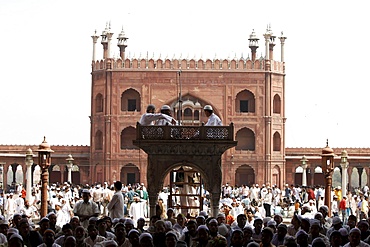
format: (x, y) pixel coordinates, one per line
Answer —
(117, 215)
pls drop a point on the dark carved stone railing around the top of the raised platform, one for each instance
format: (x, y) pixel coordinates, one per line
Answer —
(176, 132)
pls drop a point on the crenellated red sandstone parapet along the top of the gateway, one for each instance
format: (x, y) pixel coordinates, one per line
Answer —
(187, 64)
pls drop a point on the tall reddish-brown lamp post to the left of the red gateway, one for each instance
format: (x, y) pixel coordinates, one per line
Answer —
(44, 152)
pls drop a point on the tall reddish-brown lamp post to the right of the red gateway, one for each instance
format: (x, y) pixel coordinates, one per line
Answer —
(327, 164)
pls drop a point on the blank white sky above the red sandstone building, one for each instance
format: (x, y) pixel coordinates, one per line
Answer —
(46, 52)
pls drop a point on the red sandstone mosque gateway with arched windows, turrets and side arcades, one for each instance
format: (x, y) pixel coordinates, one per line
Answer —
(248, 92)
